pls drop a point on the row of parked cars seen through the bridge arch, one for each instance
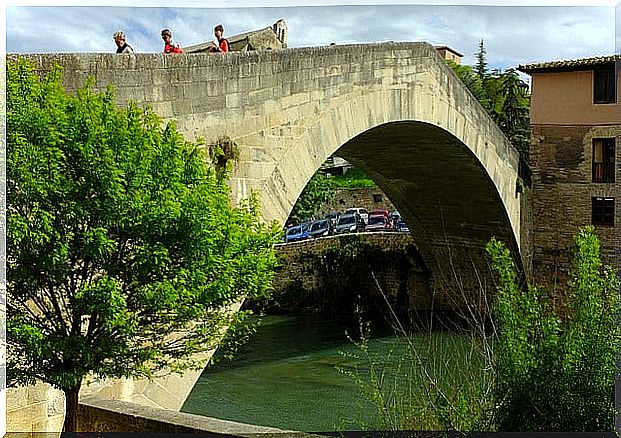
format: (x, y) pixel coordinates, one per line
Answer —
(353, 220)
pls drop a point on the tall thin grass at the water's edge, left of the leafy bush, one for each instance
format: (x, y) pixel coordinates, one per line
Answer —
(435, 379)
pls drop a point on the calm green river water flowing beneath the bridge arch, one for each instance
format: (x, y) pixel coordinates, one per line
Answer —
(292, 374)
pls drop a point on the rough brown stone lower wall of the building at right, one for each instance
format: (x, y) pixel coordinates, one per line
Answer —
(562, 190)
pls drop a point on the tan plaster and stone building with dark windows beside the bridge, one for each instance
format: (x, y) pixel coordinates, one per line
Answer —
(576, 160)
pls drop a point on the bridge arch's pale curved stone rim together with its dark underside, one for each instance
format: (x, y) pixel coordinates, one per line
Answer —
(452, 178)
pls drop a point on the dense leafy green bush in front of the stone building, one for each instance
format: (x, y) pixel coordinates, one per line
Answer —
(556, 374)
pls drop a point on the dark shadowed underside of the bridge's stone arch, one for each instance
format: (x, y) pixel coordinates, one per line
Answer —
(444, 193)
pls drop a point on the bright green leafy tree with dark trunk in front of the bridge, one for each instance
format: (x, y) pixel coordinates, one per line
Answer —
(124, 252)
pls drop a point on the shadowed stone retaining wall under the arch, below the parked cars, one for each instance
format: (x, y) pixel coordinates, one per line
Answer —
(336, 274)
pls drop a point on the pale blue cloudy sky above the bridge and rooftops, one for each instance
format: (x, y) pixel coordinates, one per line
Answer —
(548, 30)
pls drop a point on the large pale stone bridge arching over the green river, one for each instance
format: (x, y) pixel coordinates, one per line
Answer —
(395, 110)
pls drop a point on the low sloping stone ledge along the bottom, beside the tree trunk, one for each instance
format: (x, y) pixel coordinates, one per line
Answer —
(97, 415)
